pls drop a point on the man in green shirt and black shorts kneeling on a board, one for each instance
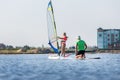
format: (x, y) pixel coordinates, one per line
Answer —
(80, 48)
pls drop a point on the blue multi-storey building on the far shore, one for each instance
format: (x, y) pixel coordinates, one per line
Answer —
(108, 38)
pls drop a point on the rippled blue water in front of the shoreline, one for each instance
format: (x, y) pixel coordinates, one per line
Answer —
(39, 67)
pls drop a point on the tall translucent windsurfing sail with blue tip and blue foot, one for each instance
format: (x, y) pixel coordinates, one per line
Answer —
(52, 31)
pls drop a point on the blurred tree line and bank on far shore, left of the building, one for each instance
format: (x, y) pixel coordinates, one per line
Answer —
(27, 49)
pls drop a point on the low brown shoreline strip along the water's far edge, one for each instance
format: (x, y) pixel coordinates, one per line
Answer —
(68, 51)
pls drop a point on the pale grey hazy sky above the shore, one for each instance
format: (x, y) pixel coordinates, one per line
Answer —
(24, 22)
